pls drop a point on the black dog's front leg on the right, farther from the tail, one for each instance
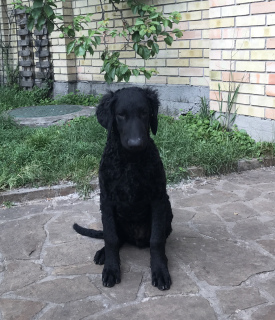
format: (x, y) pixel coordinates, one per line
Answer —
(160, 274)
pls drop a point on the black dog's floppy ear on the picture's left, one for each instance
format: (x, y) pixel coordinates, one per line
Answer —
(104, 110)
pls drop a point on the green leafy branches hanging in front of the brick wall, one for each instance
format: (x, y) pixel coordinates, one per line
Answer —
(142, 37)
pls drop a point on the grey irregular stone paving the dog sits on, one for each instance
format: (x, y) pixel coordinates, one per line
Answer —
(221, 257)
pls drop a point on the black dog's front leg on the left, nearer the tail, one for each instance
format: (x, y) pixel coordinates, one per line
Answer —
(111, 270)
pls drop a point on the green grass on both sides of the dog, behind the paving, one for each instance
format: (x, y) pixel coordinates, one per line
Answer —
(44, 156)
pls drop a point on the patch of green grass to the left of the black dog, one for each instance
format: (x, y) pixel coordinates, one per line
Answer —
(35, 157)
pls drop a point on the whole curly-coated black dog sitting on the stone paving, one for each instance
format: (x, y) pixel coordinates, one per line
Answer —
(133, 200)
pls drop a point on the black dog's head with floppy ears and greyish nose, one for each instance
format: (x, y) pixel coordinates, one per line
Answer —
(130, 112)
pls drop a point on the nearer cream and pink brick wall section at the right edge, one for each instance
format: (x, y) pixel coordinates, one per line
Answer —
(242, 51)
